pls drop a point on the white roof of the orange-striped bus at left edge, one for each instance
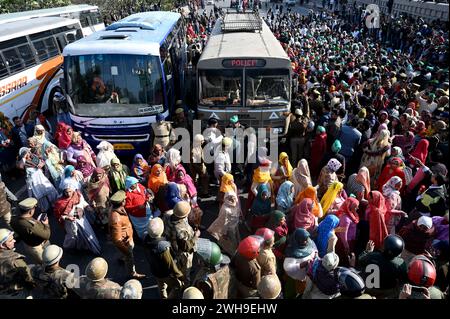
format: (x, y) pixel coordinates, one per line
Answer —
(25, 27)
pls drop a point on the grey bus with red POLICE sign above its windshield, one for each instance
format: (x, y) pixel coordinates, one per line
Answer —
(244, 71)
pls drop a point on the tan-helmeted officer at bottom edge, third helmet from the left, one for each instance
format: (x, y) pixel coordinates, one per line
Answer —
(94, 285)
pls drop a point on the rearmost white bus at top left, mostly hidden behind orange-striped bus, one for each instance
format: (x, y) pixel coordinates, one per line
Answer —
(88, 15)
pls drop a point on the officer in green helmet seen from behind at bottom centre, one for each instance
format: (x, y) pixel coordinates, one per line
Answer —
(214, 279)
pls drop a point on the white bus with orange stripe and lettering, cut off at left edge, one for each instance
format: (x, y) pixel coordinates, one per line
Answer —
(30, 62)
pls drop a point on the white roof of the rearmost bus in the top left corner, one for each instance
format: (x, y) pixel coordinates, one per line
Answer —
(17, 16)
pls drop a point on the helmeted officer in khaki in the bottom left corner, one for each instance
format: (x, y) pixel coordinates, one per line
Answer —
(16, 281)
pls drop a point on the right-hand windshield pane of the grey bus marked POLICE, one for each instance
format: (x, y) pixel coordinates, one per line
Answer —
(267, 87)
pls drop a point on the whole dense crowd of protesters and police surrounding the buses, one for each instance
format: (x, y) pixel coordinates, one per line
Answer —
(355, 207)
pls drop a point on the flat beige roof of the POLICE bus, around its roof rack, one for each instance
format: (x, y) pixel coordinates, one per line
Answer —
(257, 44)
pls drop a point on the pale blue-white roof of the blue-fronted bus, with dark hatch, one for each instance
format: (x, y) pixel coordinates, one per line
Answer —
(140, 33)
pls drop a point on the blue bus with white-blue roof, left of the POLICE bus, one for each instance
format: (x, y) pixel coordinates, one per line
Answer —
(119, 79)
